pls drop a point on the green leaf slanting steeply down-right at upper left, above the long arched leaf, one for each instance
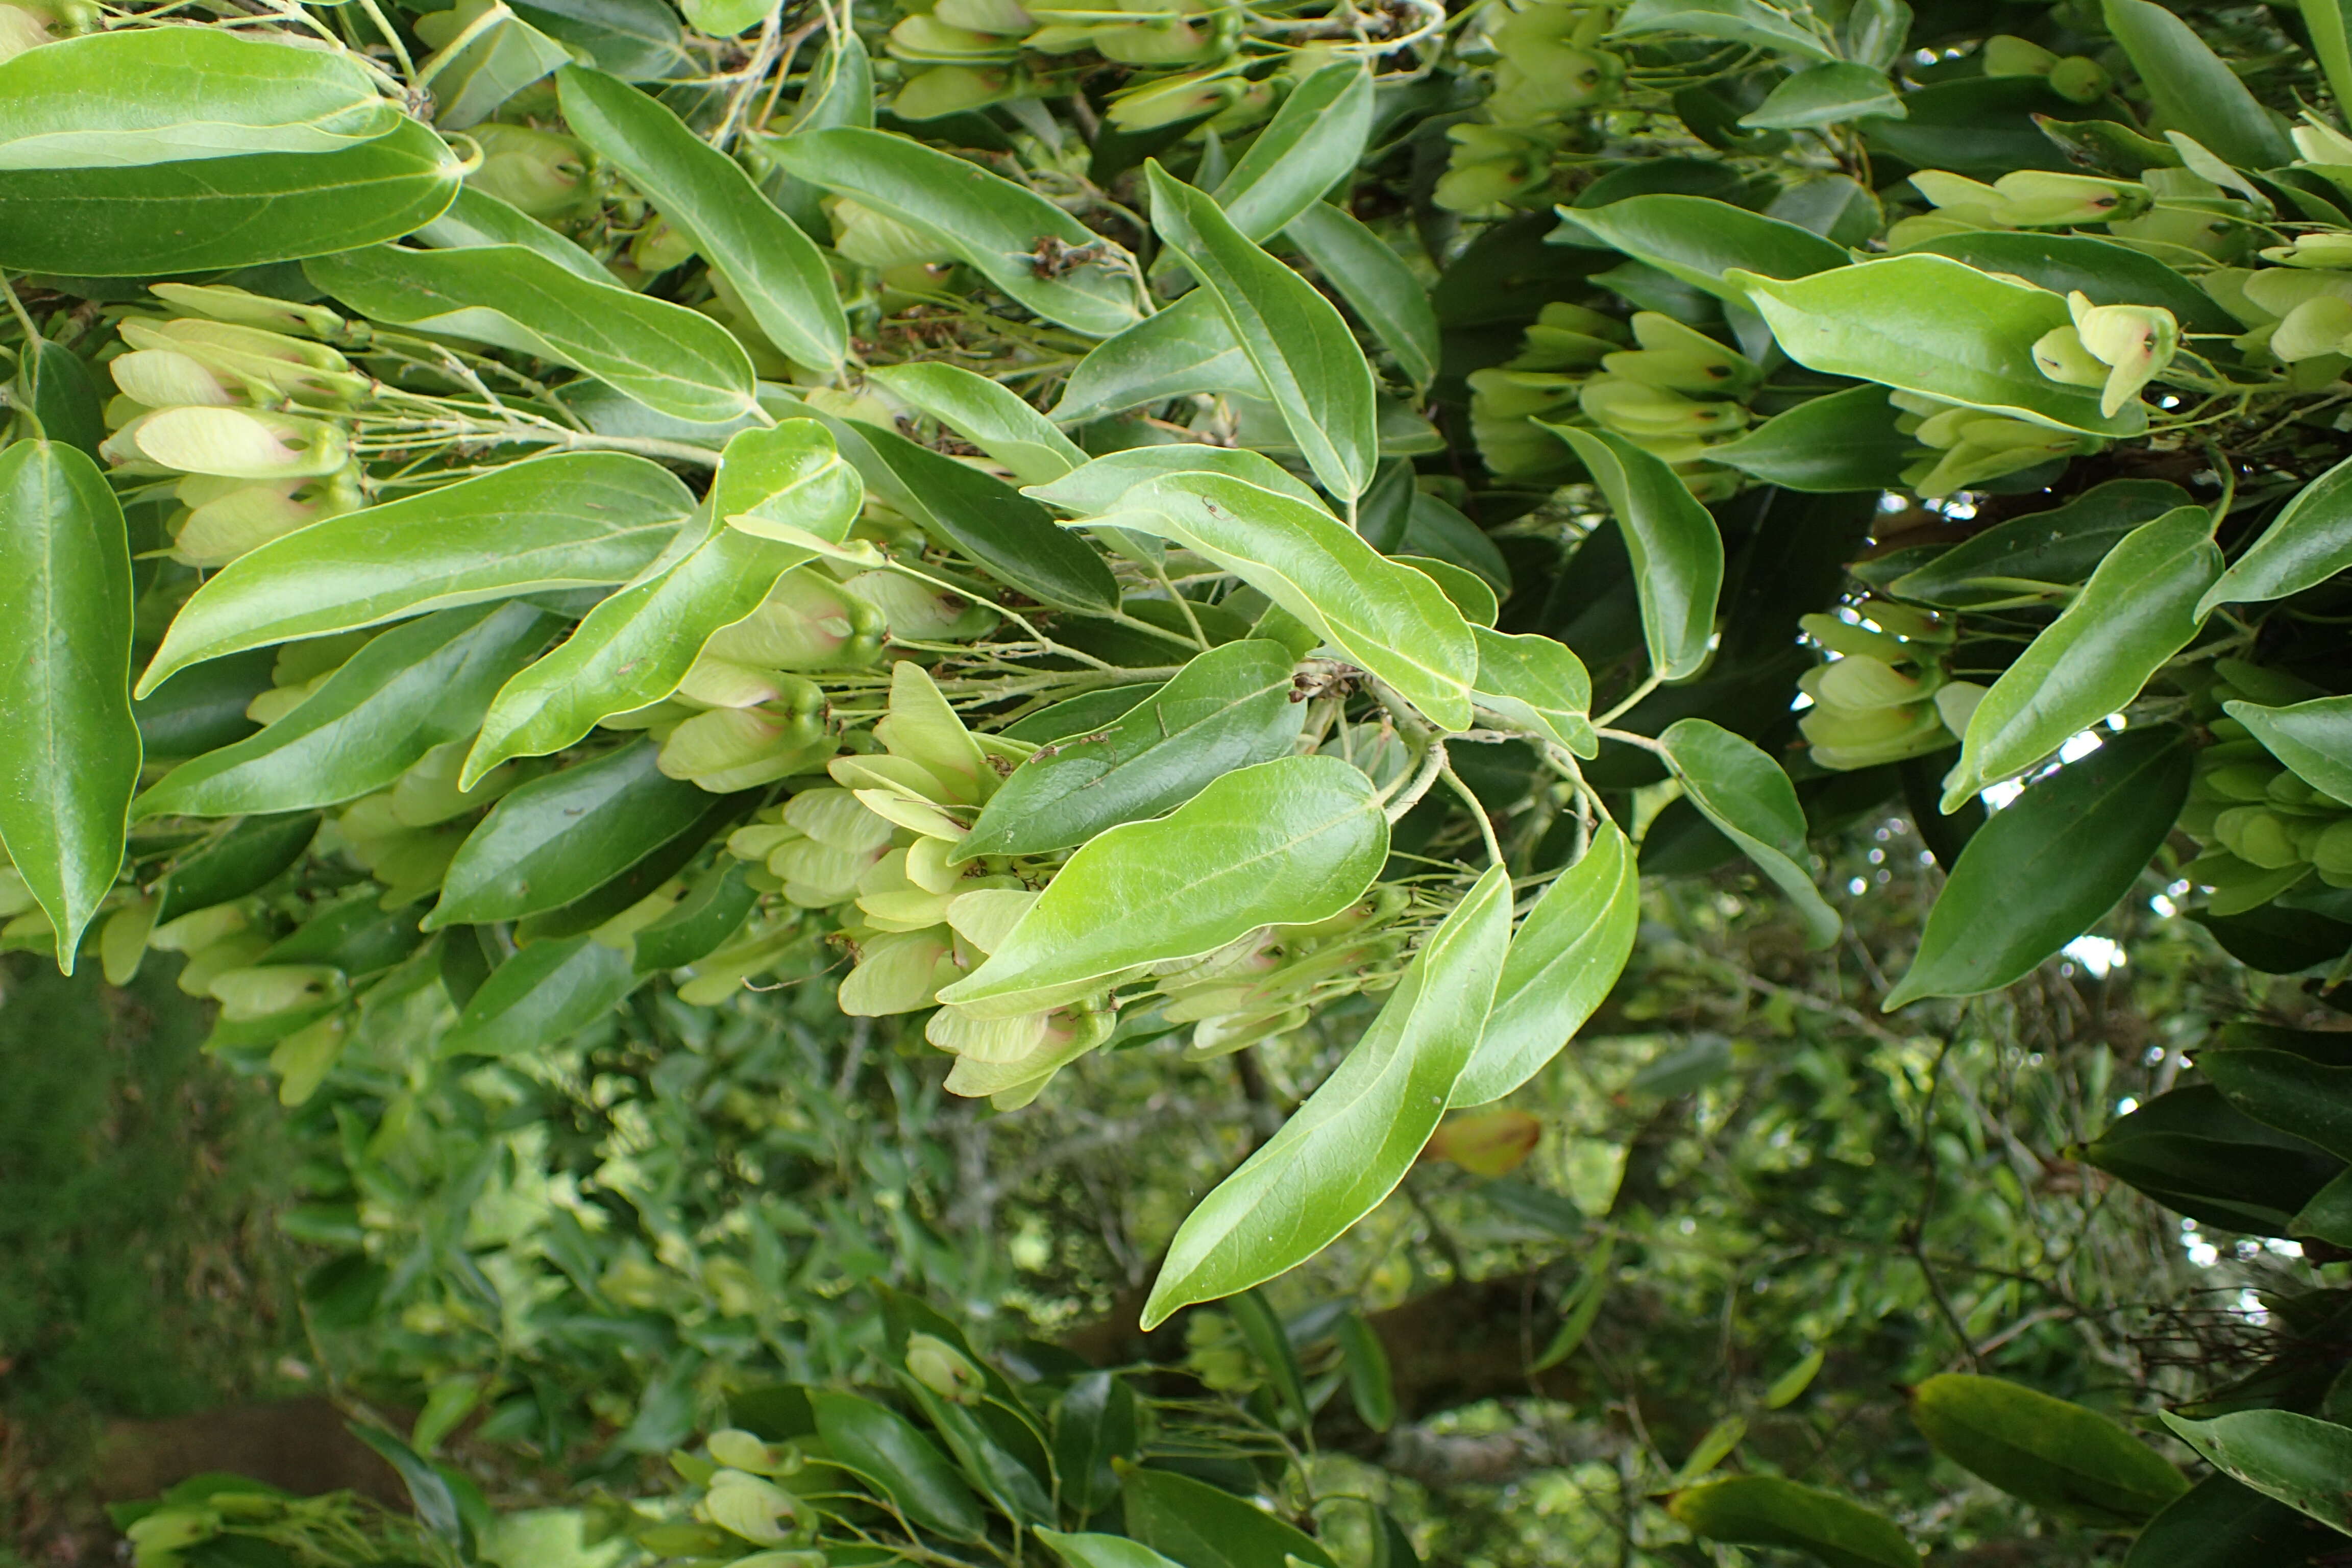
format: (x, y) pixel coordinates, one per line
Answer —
(709, 199)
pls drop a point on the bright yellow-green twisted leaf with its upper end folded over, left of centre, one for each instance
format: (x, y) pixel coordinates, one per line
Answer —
(641, 643)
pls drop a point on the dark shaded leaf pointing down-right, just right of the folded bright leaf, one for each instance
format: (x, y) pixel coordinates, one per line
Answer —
(1008, 535)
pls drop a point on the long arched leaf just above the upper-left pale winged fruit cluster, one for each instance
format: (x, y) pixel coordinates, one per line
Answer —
(669, 359)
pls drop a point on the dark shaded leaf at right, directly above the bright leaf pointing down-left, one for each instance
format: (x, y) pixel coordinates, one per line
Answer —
(2033, 556)
